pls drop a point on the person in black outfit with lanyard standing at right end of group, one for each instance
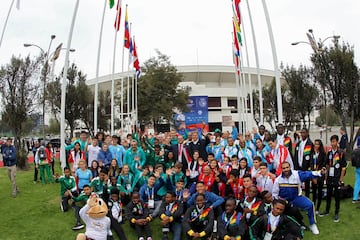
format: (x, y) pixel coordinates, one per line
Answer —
(336, 167)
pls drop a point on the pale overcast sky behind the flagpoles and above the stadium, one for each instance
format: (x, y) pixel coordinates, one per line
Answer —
(190, 32)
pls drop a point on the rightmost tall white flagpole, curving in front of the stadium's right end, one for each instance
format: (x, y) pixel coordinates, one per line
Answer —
(276, 65)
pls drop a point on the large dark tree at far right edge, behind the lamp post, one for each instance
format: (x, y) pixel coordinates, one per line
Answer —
(336, 71)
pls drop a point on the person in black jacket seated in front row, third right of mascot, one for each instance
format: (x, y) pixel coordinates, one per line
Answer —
(170, 215)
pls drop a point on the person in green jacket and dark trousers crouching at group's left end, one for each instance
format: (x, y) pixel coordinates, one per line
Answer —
(67, 188)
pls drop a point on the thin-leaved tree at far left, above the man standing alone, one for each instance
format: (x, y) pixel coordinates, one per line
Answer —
(19, 91)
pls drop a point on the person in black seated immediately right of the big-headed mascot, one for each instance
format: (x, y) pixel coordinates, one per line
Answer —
(116, 213)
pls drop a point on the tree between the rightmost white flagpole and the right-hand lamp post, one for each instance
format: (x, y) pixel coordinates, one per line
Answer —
(302, 93)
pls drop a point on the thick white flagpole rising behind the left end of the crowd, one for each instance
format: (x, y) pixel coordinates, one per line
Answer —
(63, 90)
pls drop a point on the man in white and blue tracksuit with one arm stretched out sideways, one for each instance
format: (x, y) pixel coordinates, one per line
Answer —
(288, 186)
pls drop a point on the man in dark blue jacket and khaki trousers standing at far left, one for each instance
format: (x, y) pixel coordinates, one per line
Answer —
(9, 158)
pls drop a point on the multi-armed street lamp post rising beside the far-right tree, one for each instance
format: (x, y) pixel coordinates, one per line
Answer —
(317, 47)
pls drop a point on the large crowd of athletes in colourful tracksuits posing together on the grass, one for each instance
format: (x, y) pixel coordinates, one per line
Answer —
(201, 185)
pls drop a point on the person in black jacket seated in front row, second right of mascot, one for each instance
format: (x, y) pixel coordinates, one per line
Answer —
(138, 215)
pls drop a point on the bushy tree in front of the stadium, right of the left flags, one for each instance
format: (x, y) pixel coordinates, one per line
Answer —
(158, 91)
